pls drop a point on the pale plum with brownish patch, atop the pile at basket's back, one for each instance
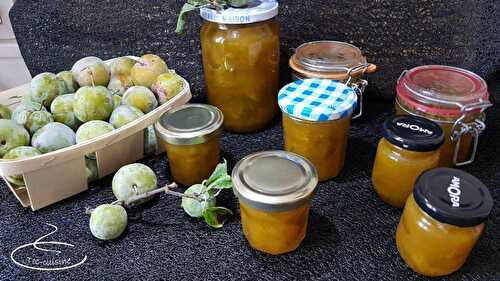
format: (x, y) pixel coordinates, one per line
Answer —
(91, 71)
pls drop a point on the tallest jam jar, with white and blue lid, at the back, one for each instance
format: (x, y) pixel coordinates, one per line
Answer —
(241, 54)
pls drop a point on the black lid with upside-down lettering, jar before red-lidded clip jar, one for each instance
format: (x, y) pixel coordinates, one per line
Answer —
(413, 133)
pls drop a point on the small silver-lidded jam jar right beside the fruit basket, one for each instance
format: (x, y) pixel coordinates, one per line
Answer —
(191, 135)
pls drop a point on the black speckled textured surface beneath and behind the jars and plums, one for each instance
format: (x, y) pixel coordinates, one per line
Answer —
(351, 233)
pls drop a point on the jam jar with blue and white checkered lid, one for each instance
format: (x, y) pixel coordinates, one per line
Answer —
(316, 119)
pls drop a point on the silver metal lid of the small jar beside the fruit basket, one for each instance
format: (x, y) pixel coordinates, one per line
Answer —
(189, 124)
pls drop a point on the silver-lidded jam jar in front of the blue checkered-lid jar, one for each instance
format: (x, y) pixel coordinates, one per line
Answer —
(274, 189)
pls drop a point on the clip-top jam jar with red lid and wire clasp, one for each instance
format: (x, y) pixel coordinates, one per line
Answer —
(454, 98)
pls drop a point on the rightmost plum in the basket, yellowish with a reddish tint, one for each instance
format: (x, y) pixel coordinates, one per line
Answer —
(167, 85)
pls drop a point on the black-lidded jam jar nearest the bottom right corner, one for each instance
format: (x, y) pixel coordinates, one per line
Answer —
(442, 221)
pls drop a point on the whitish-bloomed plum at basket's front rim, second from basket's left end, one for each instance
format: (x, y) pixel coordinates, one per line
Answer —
(52, 137)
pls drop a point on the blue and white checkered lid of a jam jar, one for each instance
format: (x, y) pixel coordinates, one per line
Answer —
(317, 100)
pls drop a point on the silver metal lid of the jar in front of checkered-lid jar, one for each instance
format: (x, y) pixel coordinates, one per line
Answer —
(274, 180)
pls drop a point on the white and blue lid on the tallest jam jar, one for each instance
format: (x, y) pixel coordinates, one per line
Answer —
(254, 11)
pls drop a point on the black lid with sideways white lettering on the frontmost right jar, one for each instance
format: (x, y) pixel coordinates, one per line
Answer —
(453, 196)
